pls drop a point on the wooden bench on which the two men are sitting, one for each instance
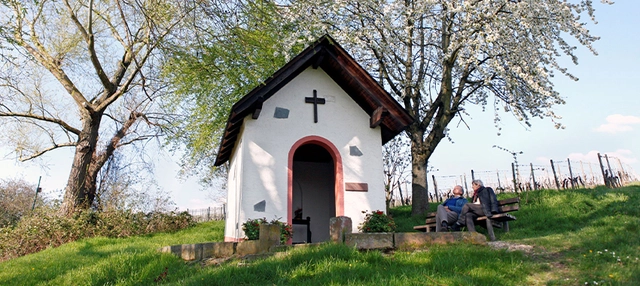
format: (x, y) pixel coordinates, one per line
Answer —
(500, 220)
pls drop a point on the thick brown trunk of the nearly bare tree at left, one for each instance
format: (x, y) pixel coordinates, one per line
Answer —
(81, 185)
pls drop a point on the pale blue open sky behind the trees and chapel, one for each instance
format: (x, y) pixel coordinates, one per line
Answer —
(601, 115)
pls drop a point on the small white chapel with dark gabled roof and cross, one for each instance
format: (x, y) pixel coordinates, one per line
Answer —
(308, 144)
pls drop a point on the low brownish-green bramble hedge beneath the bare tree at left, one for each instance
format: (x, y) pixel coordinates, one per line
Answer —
(44, 228)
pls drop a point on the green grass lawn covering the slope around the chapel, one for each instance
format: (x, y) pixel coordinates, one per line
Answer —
(578, 236)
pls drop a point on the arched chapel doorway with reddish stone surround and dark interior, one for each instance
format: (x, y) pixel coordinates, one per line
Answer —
(315, 186)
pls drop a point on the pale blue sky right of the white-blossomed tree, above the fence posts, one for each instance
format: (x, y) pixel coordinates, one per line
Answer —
(601, 114)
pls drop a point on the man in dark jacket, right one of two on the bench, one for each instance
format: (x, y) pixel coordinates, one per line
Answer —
(484, 203)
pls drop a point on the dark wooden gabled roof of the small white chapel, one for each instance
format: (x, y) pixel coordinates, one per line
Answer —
(343, 69)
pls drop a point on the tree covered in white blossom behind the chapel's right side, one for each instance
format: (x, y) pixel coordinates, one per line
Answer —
(437, 56)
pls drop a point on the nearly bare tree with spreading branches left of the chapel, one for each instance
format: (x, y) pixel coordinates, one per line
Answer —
(83, 75)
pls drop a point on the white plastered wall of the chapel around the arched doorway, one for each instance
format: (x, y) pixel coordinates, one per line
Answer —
(262, 154)
